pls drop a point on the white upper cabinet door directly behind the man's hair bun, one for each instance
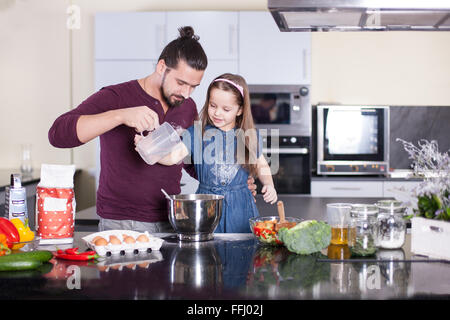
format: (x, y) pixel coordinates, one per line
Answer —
(217, 31)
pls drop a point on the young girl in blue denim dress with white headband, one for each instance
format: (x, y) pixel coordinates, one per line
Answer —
(225, 150)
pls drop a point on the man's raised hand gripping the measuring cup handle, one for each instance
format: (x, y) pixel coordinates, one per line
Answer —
(140, 118)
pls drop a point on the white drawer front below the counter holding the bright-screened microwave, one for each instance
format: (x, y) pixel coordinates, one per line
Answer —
(352, 189)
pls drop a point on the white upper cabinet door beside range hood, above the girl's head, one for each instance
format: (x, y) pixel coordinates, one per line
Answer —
(268, 56)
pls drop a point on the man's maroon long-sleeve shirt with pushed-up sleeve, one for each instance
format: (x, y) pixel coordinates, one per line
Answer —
(128, 187)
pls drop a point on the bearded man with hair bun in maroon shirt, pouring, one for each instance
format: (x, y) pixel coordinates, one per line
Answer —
(129, 193)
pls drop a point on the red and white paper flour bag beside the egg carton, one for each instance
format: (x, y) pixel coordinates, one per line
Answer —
(55, 204)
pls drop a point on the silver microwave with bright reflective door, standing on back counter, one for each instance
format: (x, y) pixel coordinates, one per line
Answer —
(352, 140)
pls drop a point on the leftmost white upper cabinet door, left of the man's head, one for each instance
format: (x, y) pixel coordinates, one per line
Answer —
(130, 35)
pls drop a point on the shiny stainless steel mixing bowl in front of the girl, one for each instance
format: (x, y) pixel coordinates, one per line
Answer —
(195, 216)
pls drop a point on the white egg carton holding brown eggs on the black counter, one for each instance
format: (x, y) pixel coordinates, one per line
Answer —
(154, 243)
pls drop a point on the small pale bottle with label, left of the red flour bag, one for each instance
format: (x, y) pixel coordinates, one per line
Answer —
(16, 199)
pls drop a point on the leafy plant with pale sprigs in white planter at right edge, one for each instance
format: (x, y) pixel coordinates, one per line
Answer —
(433, 194)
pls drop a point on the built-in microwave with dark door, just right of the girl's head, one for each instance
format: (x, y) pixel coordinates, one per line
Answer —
(286, 108)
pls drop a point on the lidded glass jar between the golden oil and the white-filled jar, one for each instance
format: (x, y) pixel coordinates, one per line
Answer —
(363, 229)
